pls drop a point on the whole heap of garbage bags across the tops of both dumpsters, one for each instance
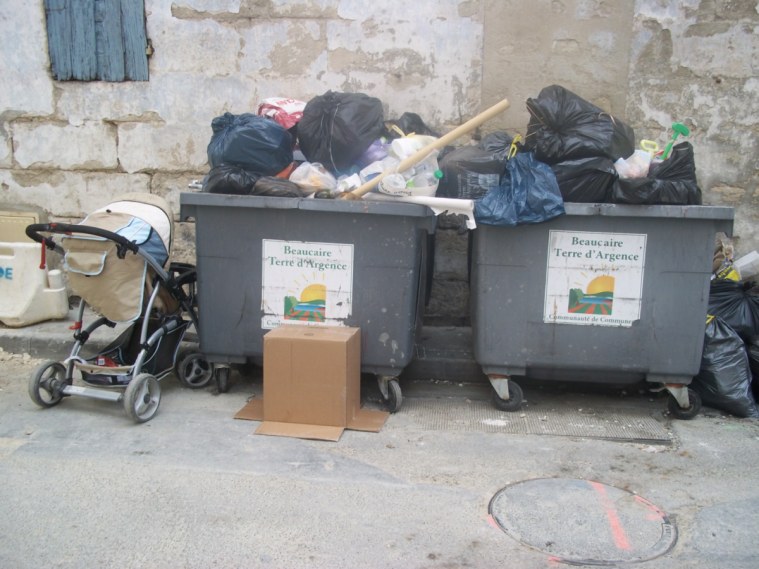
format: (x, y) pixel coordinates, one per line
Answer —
(573, 151)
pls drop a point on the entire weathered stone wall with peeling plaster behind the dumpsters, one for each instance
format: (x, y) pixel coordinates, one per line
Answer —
(70, 147)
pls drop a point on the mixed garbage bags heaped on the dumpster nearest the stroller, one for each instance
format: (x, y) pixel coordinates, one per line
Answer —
(331, 144)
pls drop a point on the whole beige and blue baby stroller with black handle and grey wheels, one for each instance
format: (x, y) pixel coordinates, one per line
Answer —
(117, 262)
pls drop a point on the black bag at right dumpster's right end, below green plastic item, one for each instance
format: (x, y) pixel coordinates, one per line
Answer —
(670, 182)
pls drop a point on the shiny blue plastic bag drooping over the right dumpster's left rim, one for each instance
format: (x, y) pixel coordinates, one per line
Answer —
(528, 193)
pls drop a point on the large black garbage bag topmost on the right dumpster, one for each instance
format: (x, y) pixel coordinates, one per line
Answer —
(563, 126)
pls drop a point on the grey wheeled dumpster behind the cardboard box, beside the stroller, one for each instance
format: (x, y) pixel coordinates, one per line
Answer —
(266, 261)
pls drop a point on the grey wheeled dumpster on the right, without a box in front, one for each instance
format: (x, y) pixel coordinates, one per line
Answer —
(605, 293)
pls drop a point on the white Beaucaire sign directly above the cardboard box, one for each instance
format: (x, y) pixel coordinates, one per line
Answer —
(306, 283)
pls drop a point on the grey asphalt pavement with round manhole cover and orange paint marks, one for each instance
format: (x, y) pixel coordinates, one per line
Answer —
(447, 482)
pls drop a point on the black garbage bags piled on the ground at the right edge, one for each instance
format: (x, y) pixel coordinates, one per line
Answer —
(729, 374)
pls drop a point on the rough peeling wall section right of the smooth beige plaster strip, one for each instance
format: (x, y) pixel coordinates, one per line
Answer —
(697, 62)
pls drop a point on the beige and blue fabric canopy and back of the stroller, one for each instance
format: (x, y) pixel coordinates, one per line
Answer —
(113, 287)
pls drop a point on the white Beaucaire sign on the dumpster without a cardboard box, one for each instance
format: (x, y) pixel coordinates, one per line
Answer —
(594, 278)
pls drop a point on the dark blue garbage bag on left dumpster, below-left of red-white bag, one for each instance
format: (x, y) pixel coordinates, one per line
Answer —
(255, 143)
